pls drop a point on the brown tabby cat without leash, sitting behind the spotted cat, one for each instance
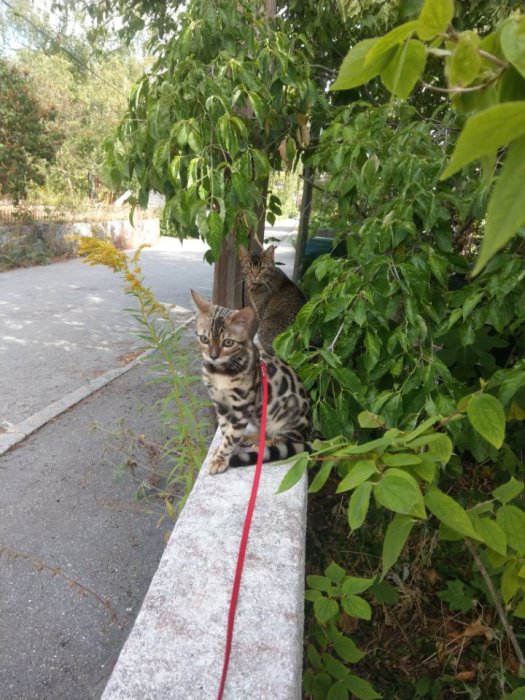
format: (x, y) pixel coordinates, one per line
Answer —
(274, 296)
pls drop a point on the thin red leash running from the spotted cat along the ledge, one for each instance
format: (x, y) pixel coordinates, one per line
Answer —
(245, 534)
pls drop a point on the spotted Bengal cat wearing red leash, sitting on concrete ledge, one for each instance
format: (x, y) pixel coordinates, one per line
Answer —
(231, 371)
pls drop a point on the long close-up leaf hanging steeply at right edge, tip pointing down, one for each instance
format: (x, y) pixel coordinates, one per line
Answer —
(506, 207)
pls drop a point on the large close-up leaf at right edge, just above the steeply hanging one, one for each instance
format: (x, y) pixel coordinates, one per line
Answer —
(485, 132)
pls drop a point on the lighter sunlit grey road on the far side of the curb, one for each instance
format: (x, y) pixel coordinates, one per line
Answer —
(63, 325)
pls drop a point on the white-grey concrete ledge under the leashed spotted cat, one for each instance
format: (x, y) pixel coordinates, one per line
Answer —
(175, 649)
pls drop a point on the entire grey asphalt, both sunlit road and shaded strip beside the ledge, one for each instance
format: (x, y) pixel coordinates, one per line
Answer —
(77, 550)
